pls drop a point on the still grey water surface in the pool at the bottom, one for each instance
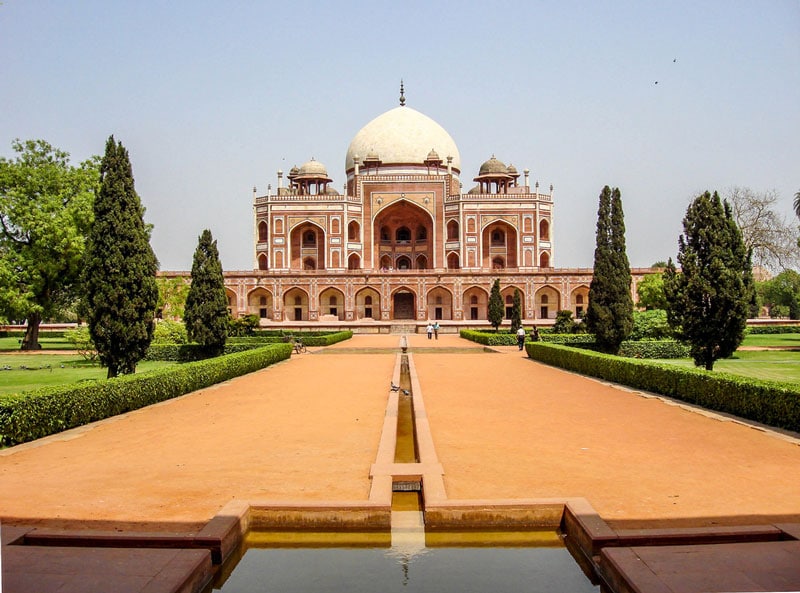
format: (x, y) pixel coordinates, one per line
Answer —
(439, 570)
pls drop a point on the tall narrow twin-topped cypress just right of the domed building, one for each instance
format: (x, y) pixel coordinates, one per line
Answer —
(609, 315)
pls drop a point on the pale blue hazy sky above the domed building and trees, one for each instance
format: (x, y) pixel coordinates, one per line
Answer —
(211, 98)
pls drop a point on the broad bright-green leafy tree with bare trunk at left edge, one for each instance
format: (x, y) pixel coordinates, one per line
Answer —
(45, 213)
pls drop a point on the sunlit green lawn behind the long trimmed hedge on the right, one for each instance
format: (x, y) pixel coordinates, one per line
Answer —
(773, 365)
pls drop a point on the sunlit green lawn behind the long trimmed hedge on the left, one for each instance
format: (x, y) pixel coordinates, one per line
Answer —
(41, 370)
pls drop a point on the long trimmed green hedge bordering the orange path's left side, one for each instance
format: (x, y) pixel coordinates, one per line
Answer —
(53, 409)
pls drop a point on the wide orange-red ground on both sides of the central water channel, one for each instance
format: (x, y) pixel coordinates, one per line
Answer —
(307, 430)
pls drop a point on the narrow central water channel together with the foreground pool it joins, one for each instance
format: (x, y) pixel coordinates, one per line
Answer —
(411, 560)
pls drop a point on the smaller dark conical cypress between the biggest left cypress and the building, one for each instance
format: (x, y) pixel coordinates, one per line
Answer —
(206, 313)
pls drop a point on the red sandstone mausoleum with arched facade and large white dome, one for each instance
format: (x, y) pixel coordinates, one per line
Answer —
(403, 244)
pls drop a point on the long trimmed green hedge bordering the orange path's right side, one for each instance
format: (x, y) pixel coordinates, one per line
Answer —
(772, 403)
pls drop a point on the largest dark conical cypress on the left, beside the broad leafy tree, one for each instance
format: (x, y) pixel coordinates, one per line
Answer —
(120, 268)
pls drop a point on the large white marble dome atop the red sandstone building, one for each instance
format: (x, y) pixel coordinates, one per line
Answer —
(402, 136)
